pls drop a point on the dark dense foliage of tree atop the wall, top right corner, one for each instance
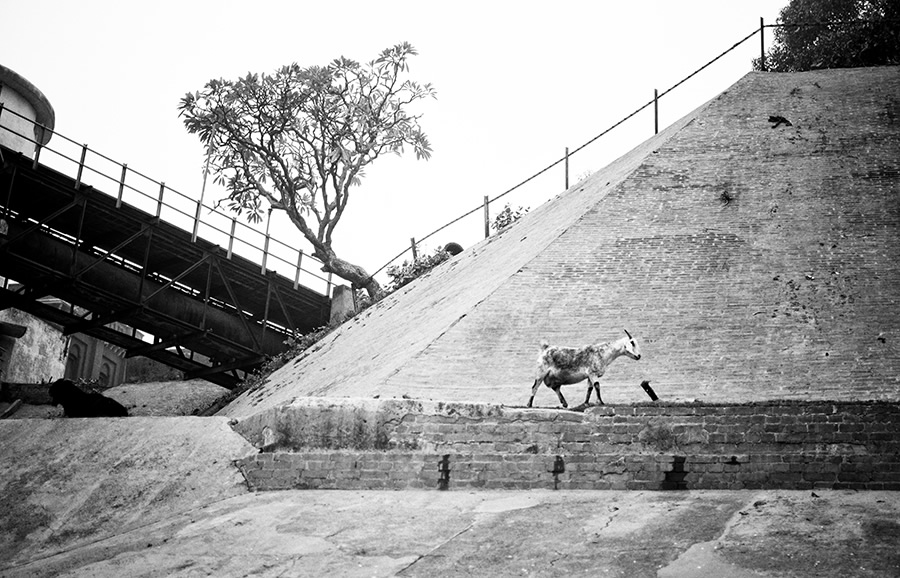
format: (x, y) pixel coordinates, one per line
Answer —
(834, 34)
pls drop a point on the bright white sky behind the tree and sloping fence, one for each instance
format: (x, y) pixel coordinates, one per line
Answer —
(517, 82)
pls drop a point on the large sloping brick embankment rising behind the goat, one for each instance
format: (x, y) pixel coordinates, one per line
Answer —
(751, 263)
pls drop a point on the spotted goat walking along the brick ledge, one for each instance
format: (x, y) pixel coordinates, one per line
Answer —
(558, 366)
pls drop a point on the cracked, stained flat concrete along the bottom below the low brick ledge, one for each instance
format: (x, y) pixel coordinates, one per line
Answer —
(535, 533)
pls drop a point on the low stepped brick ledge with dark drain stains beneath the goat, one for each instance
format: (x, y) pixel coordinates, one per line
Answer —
(401, 444)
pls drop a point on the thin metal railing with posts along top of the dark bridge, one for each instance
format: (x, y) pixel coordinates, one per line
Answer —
(156, 198)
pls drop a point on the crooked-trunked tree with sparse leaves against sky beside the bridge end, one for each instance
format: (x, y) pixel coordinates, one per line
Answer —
(299, 139)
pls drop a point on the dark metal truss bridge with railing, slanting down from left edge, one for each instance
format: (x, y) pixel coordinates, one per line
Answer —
(211, 312)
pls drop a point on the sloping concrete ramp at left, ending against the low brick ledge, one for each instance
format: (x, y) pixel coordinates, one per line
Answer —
(71, 482)
